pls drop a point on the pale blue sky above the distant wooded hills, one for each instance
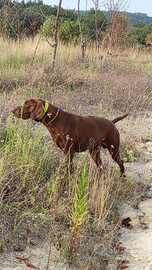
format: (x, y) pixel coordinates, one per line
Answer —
(142, 6)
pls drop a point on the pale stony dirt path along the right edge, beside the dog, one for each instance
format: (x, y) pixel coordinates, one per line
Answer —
(137, 240)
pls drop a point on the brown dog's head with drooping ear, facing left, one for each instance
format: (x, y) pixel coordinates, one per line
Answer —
(32, 108)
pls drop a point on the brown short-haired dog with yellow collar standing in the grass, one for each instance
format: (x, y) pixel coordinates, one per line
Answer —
(73, 133)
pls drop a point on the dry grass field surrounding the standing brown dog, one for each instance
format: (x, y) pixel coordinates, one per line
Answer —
(31, 166)
